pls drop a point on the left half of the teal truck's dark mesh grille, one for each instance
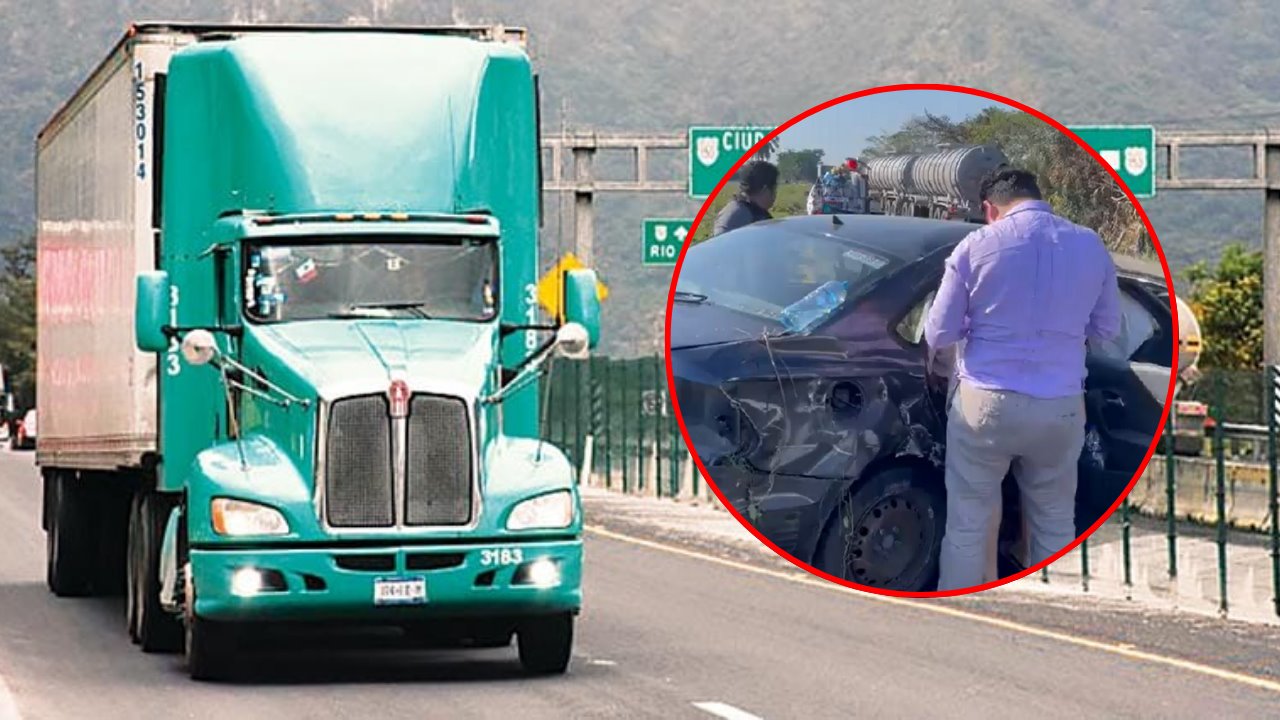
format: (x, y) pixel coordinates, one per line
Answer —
(359, 464)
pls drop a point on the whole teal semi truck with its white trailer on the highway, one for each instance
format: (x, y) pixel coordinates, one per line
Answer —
(290, 345)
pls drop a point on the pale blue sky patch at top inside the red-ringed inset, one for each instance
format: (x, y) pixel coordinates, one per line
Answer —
(843, 130)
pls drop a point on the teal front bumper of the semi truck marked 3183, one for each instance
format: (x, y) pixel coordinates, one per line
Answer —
(321, 584)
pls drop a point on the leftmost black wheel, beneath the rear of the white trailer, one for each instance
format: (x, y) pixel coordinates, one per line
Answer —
(70, 537)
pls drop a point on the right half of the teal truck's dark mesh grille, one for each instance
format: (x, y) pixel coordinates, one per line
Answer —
(438, 468)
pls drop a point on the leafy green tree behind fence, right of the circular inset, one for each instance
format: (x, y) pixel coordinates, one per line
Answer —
(1228, 302)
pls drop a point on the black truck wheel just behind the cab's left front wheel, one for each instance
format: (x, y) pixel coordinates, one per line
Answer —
(154, 630)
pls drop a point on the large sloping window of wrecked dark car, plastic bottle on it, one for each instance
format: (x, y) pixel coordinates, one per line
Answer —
(772, 276)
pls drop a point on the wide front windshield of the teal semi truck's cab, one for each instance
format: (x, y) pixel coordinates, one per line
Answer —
(432, 277)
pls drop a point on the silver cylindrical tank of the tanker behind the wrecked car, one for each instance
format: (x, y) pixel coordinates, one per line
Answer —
(935, 185)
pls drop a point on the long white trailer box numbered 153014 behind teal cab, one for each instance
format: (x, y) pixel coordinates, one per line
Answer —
(97, 168)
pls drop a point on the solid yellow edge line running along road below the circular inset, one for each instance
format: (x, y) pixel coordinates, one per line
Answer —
(806, 580)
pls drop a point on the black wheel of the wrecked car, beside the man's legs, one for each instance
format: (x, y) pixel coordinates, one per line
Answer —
(888, 531)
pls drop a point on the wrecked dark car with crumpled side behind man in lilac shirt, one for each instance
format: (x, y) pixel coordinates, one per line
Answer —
(804, 384)
